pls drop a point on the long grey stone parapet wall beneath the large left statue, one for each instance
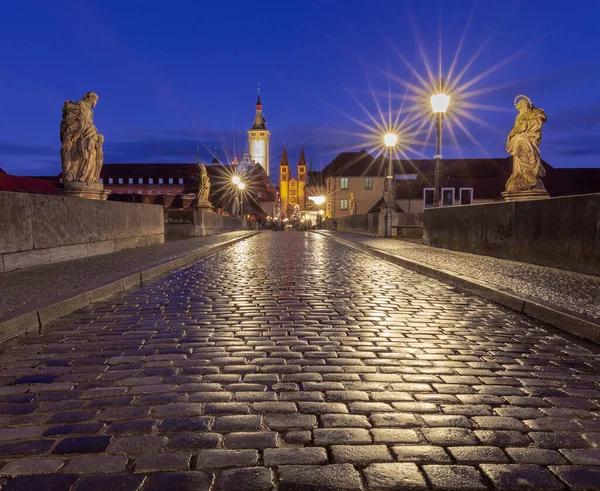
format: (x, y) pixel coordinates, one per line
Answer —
(40, 229)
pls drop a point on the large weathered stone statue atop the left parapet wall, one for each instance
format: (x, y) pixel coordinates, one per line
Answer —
(81, 151)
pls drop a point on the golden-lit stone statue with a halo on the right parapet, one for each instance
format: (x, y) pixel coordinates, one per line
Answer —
(523, 144)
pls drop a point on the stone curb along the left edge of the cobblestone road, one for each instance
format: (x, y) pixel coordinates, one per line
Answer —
(35, 322)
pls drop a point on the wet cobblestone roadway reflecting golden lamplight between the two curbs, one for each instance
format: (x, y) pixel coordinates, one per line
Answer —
(290, 362)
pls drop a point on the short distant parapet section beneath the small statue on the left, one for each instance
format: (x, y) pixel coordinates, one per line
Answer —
(194, 222)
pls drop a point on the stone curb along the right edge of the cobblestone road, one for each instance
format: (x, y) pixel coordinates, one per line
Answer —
(579, 325)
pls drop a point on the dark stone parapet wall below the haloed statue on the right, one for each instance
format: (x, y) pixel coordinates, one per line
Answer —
(557, 232)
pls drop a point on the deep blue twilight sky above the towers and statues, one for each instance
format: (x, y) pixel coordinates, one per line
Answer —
(174, 75)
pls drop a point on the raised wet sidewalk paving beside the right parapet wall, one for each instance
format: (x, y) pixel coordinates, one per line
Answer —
(566, 289)
